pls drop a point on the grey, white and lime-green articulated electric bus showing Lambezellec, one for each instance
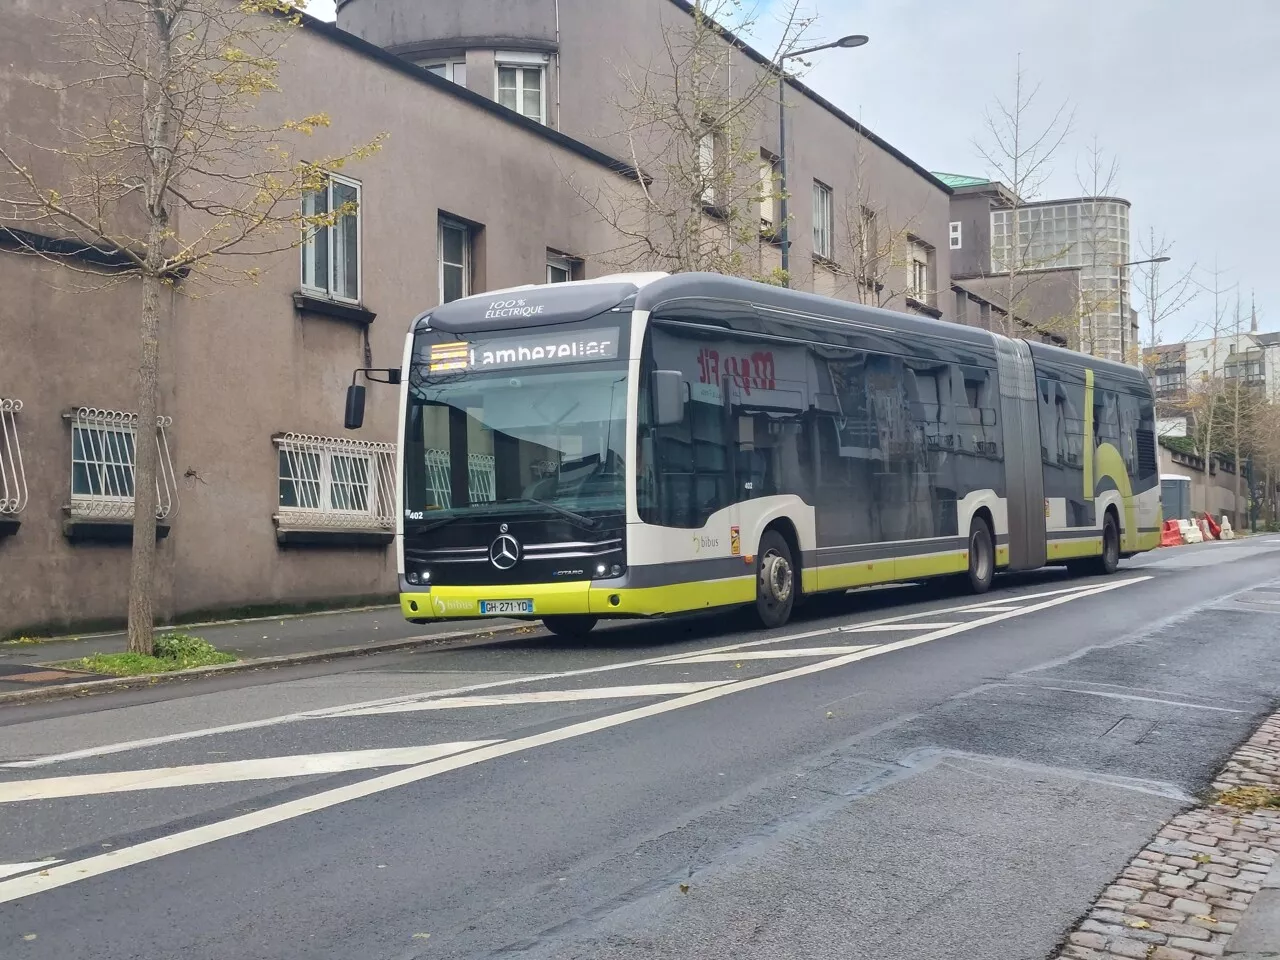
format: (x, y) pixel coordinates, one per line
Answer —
(653, 445)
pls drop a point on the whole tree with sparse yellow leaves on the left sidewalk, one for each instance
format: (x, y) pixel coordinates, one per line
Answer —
(177, 172)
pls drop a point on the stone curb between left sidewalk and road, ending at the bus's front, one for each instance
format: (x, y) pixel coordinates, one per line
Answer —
(89, 688)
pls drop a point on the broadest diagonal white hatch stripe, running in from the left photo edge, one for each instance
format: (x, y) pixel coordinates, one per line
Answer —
(231, 772)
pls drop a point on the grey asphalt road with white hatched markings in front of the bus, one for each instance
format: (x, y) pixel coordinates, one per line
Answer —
(912, 775)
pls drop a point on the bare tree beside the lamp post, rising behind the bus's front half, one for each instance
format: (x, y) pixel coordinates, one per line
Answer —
(693, 122)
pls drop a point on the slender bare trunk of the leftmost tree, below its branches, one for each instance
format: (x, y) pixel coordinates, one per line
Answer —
(147, 456)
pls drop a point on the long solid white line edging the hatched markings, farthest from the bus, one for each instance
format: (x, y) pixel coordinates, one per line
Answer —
(149, 851)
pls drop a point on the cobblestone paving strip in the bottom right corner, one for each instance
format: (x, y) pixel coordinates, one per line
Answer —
(1182, 898)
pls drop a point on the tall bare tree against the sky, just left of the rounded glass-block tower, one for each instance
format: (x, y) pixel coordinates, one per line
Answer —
(1020, 148)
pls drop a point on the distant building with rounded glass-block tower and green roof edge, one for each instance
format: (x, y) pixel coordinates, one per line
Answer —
(1049, 254)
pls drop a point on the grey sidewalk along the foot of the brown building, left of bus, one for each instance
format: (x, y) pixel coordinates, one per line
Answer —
(280, 639)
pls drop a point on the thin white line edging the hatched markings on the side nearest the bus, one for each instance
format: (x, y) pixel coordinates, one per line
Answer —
(330, 712)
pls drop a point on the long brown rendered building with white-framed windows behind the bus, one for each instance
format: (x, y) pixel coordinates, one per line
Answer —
(496, 135)
